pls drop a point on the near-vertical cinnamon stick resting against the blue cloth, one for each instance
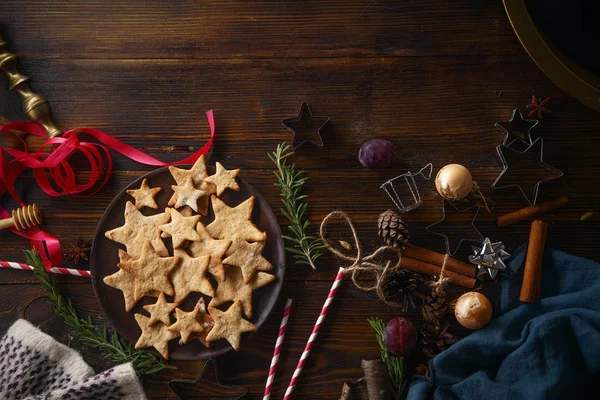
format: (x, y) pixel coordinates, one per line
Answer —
(530, 289)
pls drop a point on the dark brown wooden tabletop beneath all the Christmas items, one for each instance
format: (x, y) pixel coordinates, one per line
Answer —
(432, 76)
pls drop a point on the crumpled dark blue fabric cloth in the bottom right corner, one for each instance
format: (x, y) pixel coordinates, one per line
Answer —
(549, 349)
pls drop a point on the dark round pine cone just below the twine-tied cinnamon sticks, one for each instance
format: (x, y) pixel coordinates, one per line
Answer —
(403, 286)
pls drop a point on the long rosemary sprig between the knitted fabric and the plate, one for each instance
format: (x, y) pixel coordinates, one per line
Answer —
(112, 346)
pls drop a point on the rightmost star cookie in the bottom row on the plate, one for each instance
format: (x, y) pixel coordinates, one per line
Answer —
(229, 325)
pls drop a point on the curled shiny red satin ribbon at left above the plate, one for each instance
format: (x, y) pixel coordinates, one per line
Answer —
(52, 170)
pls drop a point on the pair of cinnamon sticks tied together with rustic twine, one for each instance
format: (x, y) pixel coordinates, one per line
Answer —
(428, 262)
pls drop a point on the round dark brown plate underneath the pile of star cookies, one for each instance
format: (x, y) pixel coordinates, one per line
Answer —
(104, 259)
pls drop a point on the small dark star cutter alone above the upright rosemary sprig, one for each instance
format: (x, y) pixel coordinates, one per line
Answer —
(304, 126)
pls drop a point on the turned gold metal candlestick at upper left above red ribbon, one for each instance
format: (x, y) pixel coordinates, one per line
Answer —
(35, 107)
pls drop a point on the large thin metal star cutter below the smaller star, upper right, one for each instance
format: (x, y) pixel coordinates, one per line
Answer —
(533, 155)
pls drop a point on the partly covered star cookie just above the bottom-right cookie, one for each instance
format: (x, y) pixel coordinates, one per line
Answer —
(233, 288)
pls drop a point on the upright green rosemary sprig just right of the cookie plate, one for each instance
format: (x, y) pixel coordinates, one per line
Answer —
(304, 247)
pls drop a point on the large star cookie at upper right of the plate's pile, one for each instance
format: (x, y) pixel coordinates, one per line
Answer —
(234, 221)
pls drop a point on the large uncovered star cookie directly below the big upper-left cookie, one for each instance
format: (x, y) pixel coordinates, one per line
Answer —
(151, 272)
